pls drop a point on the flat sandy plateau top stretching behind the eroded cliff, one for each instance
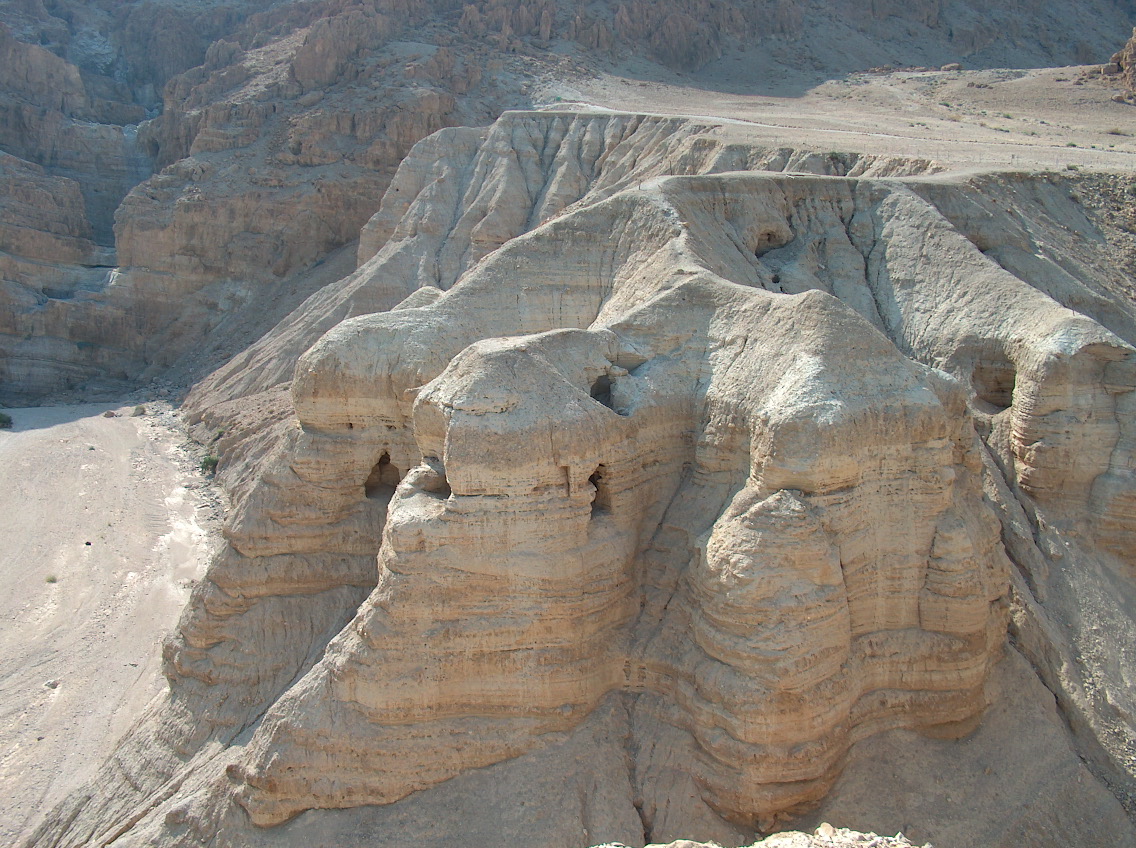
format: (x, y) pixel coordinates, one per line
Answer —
(1046, 119)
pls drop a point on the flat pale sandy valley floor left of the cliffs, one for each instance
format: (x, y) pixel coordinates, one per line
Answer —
(103, 529)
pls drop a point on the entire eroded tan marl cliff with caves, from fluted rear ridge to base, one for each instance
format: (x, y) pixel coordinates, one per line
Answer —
(678, 485)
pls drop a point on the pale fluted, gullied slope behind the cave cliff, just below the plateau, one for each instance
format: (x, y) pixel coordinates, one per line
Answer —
(445, 212)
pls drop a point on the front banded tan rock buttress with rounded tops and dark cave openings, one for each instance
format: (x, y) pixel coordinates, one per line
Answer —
(474, 403)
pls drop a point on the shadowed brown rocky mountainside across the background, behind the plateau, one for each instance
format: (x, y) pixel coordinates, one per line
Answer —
(228, 148)
